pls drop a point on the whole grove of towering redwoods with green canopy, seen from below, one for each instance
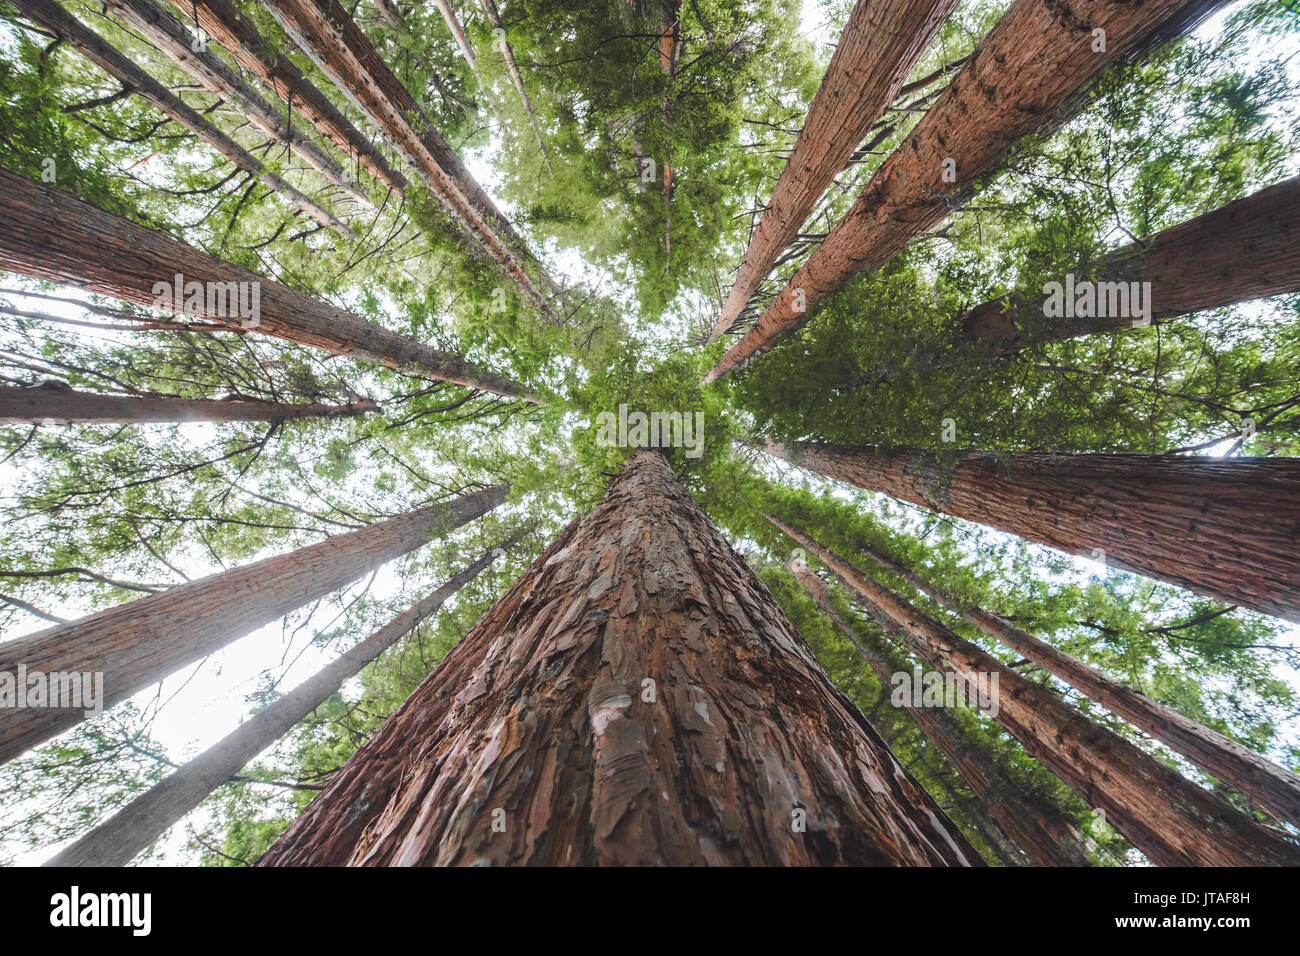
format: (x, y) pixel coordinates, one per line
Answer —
(837, 254)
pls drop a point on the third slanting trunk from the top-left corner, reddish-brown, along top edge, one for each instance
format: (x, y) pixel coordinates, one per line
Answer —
(228, 27)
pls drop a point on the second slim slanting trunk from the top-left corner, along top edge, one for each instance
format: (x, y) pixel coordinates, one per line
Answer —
(166, 32)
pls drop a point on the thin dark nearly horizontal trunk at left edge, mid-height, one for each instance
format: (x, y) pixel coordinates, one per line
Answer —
(55, 403)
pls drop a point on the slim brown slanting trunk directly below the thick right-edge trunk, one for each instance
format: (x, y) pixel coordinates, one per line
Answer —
(1275, 789)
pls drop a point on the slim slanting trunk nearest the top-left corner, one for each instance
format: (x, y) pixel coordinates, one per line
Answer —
(116, 64)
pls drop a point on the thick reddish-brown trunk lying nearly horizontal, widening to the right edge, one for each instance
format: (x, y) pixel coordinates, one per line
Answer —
(1224, 527)
